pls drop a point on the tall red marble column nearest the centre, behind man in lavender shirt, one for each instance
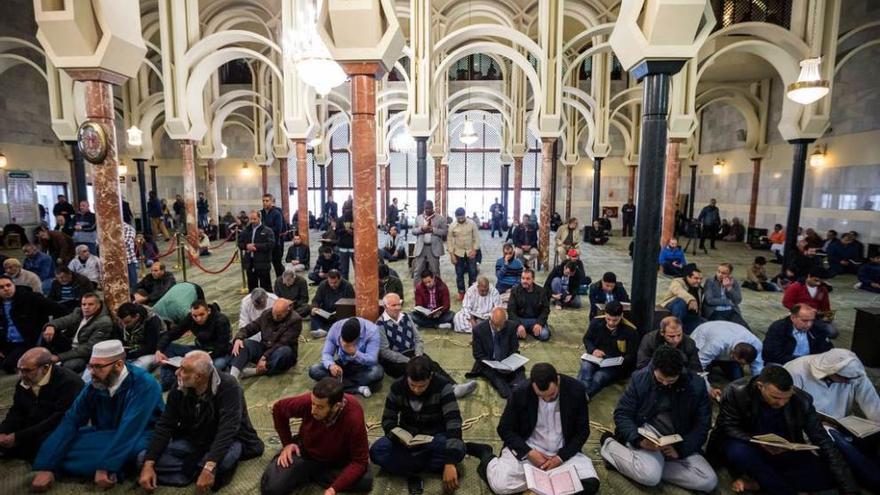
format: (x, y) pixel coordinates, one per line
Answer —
(363, 152)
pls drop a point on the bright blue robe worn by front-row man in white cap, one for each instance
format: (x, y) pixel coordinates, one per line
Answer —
(131, 413)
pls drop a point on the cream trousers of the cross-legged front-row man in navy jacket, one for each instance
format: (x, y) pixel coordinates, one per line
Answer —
(649, 468)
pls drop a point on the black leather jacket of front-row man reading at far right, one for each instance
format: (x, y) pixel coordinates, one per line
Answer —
(738, 419)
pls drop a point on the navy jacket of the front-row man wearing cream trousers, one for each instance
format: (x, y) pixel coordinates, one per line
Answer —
(691, 413)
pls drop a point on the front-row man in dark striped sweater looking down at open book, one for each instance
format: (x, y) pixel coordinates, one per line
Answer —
(421, 403)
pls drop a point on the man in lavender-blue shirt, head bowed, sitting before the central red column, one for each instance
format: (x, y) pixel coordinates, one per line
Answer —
(351, 355)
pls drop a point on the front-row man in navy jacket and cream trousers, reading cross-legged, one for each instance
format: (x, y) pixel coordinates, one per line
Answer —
(666, 399)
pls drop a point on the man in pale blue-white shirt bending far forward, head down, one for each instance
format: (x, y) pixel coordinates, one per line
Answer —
(730, 348)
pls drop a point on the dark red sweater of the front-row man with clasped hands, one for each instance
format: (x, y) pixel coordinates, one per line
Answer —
(343, 442)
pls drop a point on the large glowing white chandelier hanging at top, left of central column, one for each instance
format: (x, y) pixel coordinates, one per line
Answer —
(314, 64)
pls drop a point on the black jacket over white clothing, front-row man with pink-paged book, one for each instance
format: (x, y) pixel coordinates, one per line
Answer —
(521, 414)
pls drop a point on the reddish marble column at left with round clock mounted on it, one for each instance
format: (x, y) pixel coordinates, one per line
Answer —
(105, 181)
